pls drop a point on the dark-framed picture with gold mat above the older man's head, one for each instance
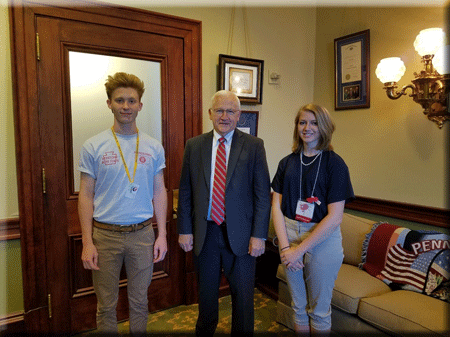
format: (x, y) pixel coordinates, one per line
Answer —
(243, 76)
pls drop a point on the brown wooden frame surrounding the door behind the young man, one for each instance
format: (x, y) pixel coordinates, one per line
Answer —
(24, 50)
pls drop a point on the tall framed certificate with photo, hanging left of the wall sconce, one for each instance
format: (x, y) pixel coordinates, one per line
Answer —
(352, 71)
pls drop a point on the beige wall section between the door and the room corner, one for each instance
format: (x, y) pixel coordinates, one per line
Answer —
(284, 39)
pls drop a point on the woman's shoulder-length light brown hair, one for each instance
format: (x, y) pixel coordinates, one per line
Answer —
(324, 123)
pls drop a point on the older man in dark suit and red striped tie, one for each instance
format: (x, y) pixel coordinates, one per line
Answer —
(228, 236)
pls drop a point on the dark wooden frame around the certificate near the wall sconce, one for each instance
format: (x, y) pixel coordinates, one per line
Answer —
(363, 85)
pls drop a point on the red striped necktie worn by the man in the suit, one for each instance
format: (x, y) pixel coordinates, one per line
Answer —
(220, 174)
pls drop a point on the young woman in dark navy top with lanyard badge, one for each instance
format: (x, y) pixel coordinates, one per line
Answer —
(311, 187)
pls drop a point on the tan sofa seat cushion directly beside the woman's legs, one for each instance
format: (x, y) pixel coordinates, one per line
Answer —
(351, 285)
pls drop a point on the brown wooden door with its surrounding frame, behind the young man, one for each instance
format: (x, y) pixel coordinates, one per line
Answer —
(57, 291)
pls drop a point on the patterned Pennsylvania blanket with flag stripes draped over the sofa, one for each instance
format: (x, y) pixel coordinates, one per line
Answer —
(408, 259)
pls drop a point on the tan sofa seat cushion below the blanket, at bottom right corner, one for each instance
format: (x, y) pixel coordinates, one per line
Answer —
(407, 313)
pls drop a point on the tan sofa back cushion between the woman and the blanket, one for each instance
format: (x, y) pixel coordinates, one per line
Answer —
(354, 230)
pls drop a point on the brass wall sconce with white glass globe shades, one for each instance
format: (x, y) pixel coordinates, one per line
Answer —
(430, 87)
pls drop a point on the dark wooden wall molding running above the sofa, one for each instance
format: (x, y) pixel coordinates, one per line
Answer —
(427, 215)
